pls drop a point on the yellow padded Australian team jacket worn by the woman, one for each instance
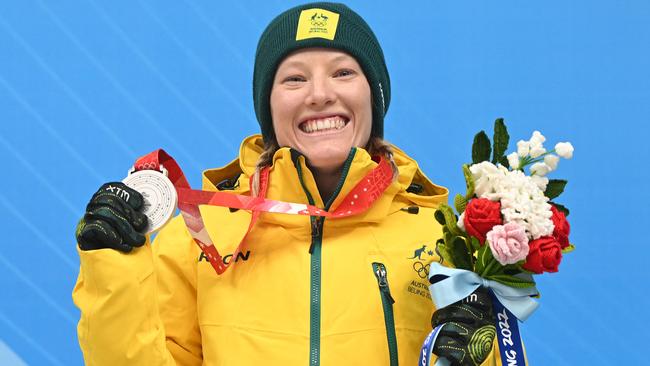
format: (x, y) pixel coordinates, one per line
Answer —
(163, 304)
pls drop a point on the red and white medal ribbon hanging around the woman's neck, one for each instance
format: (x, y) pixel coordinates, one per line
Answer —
(360, 198)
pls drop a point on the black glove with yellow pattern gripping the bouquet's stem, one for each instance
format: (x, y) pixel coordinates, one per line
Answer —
(468, 332)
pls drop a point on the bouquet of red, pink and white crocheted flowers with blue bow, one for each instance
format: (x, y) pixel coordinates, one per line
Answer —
(508, 227)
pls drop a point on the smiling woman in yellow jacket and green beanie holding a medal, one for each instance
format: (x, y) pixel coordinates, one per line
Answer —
(304, 289)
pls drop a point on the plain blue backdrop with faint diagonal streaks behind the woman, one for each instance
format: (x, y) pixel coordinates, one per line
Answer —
(87, 86)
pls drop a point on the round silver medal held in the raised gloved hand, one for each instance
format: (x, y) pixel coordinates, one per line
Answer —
(159, 195)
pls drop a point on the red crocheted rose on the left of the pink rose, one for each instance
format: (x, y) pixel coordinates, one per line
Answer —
(481, 215)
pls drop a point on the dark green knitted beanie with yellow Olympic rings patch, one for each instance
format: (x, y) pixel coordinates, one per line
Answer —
(327, 25)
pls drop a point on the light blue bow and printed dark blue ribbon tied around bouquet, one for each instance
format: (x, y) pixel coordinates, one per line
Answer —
(450, 285)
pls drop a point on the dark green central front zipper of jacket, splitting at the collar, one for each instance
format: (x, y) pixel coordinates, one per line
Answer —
(315, 265)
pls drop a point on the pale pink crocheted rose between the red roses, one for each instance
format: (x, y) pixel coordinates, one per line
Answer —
(509, 243)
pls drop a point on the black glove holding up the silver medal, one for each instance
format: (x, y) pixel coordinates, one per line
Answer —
(112, 219)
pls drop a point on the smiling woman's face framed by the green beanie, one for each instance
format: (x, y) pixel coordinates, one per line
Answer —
(321, 106)
